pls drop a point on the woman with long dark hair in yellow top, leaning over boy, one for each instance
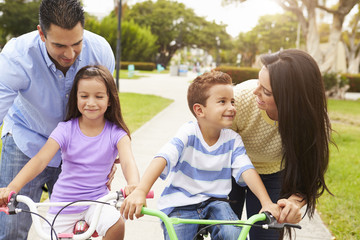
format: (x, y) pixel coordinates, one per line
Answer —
(283, 121)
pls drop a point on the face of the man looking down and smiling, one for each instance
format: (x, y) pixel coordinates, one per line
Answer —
(63, 45)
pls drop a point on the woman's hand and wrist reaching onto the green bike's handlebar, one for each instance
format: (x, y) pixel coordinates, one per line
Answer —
(290, 208)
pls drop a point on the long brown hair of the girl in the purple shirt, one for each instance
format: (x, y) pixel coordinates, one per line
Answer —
(113, 112)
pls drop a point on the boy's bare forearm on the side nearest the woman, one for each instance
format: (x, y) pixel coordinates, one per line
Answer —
(254, 182)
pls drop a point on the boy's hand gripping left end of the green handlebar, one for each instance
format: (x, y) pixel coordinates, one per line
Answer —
(133, 204)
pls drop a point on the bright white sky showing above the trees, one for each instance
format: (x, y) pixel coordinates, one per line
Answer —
(240, 17)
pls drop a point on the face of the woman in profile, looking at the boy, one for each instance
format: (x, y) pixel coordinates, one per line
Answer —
(264, 97)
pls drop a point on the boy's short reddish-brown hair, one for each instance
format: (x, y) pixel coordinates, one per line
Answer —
(198, 89)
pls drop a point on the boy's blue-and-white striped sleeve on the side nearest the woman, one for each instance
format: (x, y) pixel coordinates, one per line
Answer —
(240, 161)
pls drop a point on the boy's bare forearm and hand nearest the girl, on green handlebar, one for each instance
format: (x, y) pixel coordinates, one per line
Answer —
(137, 199)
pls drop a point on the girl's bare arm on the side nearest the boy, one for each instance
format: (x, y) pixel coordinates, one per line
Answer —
(128, 165)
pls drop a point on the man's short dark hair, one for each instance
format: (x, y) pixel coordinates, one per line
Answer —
(63, 13)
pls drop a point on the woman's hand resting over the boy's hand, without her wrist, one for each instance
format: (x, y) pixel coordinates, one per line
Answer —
(290, 211)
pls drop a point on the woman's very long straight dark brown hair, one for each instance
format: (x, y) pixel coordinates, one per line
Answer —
(304, 125)
